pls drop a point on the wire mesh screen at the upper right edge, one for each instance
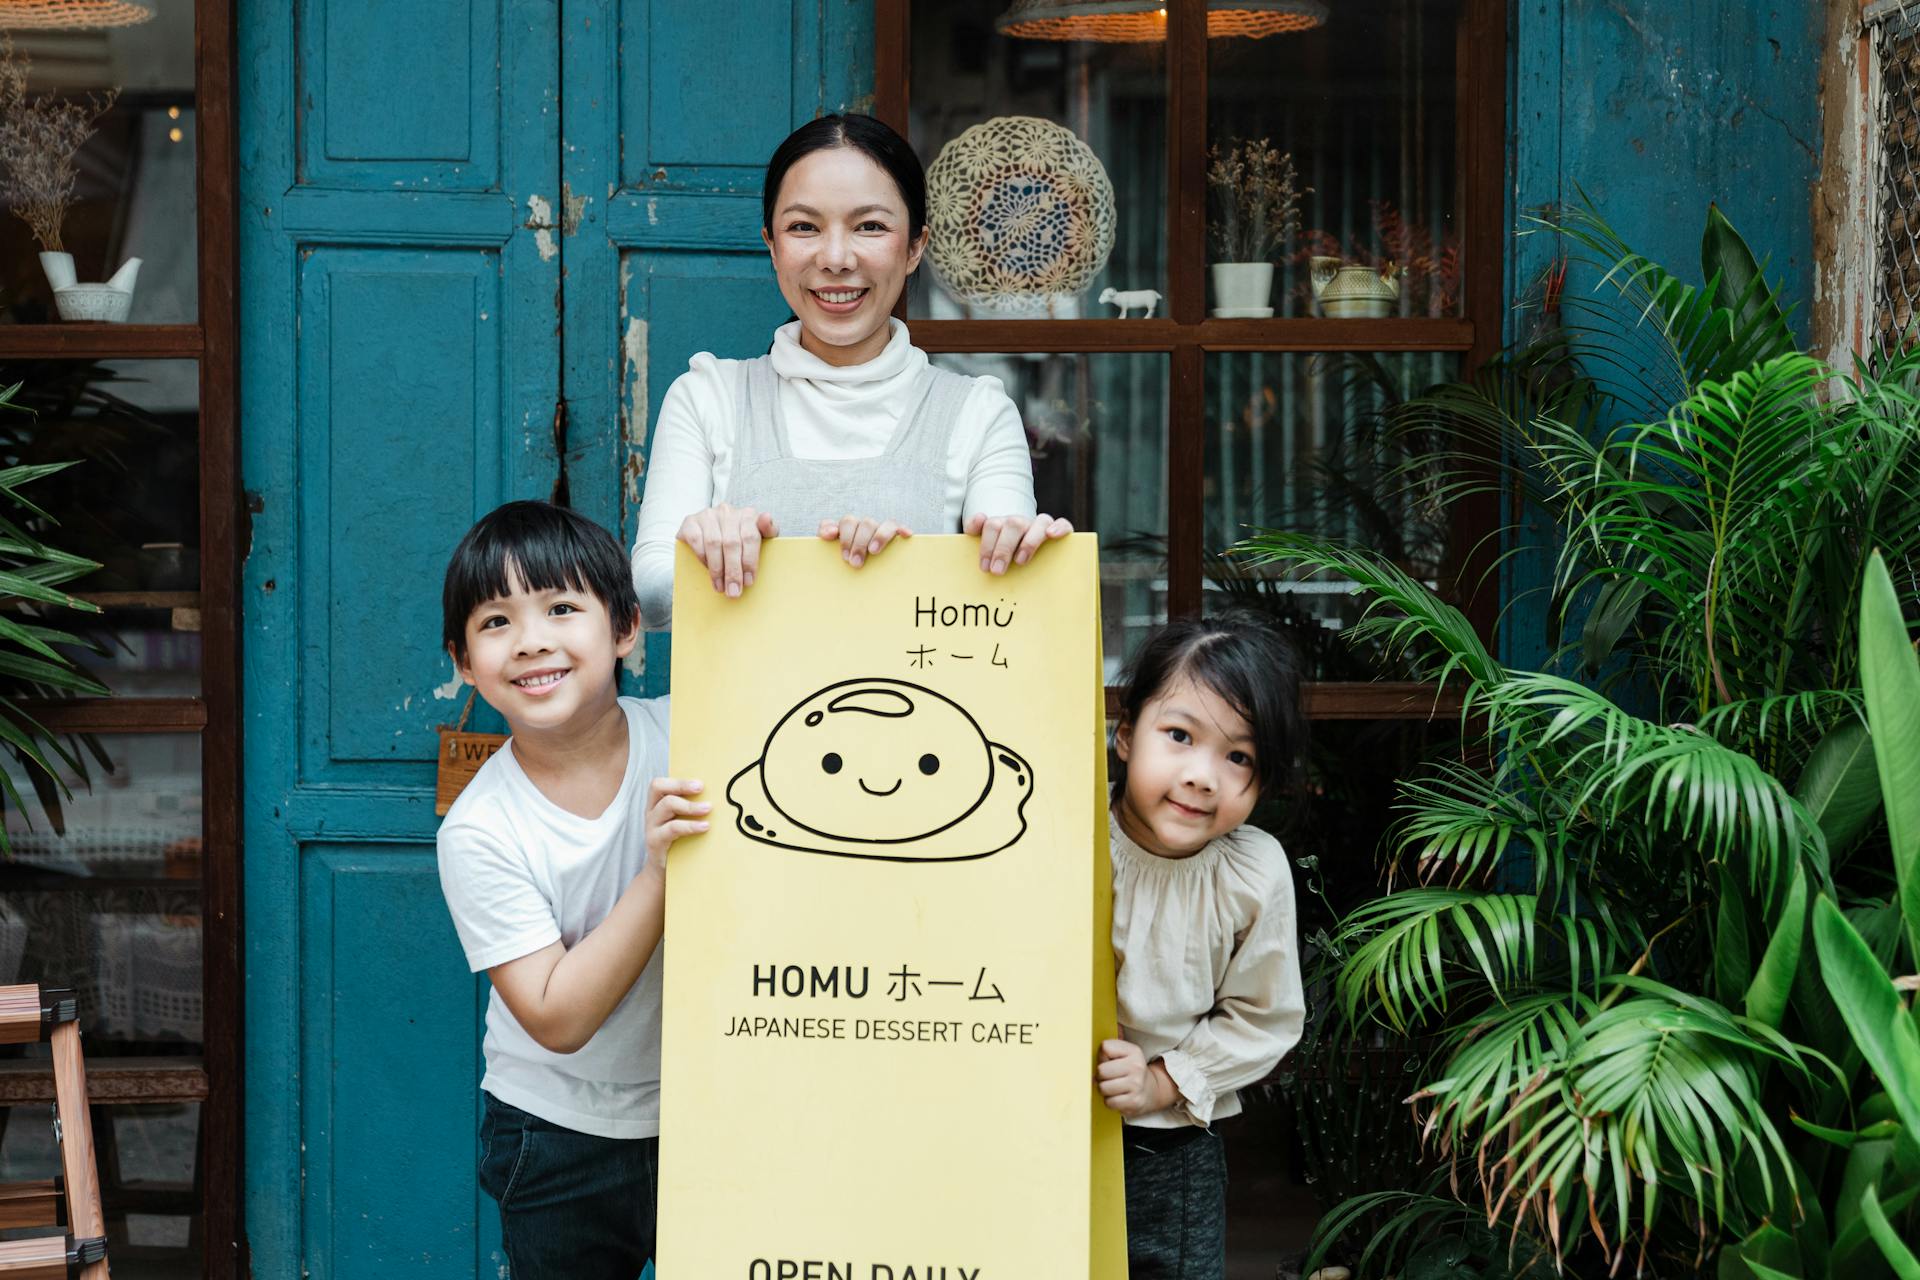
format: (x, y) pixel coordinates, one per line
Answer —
(1896, 36)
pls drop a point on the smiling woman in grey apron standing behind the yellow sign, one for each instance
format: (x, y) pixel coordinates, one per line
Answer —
(844, 427)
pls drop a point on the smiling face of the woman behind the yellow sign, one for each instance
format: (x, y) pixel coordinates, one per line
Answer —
(842, 252)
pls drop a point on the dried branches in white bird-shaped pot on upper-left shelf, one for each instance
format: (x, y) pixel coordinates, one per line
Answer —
(39, 143)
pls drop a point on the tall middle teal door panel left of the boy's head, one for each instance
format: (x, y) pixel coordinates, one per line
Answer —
(420, 456)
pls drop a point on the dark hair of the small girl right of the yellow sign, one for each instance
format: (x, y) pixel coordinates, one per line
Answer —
(1243, 659)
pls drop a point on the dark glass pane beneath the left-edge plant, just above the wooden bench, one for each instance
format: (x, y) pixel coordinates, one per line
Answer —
(110, 907)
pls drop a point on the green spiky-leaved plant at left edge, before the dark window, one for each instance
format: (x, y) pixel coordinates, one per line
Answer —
(36, 659)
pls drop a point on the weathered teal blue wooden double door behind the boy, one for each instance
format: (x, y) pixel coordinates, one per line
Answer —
(454, 218)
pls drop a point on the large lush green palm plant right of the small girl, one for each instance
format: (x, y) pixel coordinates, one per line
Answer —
(1606, 926)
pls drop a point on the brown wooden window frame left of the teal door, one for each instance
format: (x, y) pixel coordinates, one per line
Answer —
(216, 1079)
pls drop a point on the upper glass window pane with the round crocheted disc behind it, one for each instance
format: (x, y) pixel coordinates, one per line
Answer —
(1030, 206)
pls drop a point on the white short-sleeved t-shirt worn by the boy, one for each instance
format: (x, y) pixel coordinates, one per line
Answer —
(519, 874)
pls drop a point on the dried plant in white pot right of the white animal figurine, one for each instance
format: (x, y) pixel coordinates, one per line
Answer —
(1257, 199)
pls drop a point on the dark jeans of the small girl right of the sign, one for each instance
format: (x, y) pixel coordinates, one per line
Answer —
(1176, 1204)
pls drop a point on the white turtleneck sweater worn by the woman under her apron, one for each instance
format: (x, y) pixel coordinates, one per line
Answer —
(830, 414)
